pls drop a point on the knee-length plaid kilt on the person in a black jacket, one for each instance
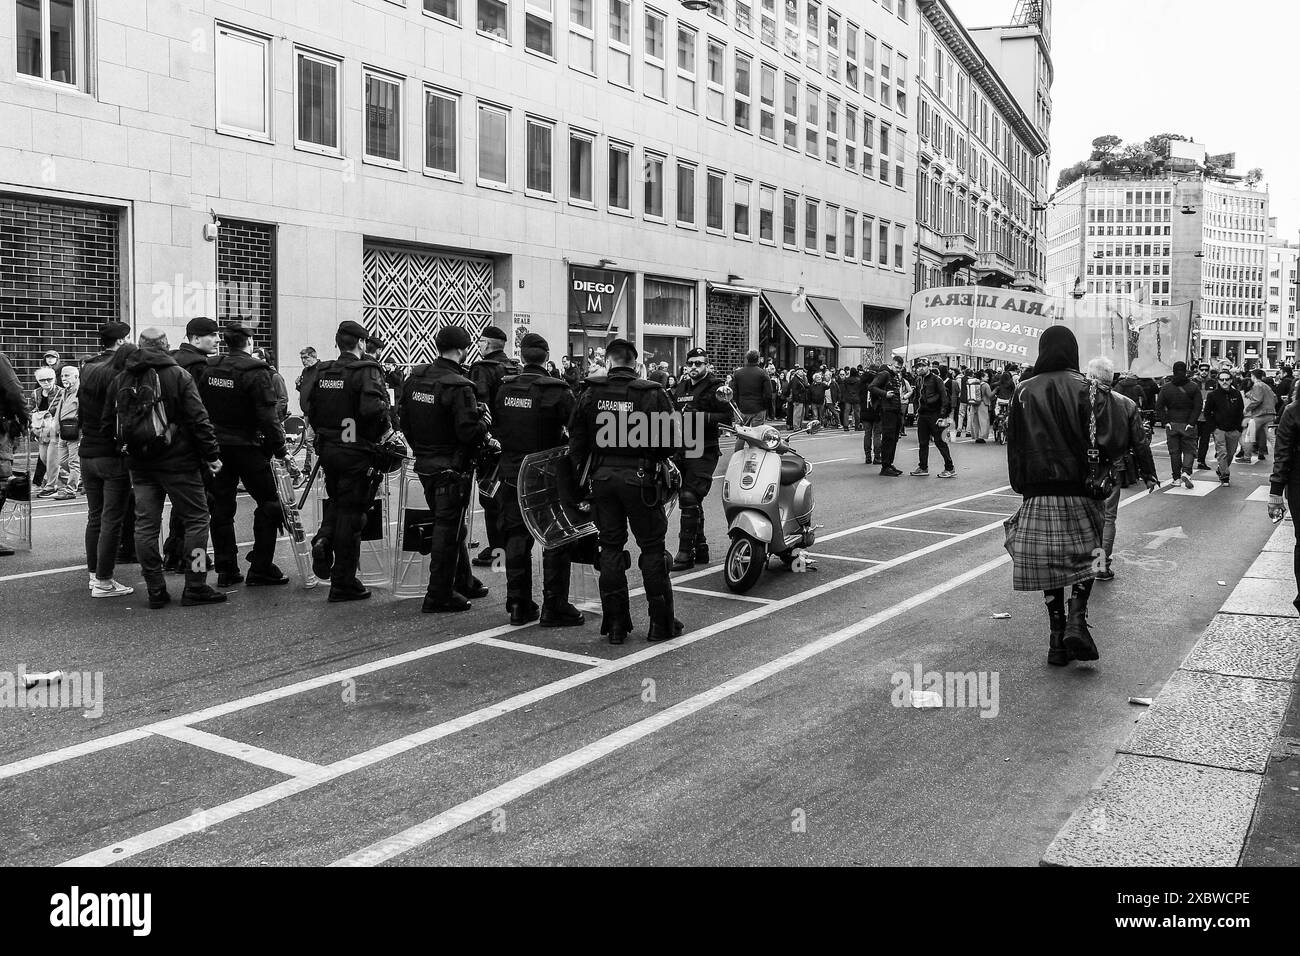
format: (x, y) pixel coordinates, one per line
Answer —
(1054, 542)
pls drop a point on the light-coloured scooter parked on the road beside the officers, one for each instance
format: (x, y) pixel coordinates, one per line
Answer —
(768, 500)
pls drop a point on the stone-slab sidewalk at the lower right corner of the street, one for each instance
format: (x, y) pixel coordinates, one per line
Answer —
(1211, 777)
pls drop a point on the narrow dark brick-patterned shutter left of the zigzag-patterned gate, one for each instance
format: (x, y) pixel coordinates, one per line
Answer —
(246, 279)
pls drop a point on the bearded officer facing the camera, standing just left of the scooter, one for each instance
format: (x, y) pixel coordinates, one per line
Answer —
(695, 396)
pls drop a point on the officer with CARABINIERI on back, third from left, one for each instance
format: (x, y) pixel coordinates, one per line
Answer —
(447, 429)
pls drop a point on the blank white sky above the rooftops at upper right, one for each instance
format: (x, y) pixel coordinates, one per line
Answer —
(1223, 75)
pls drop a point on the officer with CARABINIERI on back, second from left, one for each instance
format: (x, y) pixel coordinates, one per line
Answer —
(348, 406)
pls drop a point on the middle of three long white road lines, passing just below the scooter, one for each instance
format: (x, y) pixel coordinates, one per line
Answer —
(170, 833)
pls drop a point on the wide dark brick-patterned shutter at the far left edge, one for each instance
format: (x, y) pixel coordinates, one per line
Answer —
(60, 280)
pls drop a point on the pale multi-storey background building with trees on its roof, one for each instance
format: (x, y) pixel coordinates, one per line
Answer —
(1185, 237)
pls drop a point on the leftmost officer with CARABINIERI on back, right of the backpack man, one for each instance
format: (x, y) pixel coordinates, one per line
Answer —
(241, 399)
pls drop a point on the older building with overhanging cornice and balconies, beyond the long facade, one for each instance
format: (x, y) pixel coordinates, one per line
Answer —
(982, 153)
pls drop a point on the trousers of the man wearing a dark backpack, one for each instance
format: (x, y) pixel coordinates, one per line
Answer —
(189, 500)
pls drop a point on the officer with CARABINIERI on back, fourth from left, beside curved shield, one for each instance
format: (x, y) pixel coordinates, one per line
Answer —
(531, 416)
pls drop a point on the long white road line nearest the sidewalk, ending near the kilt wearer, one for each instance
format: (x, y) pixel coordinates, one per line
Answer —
(458, 816)
